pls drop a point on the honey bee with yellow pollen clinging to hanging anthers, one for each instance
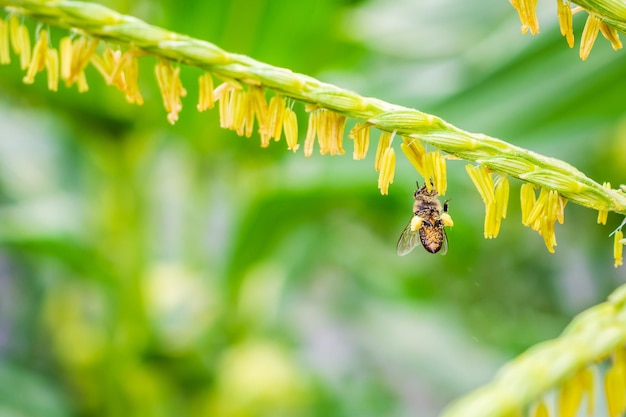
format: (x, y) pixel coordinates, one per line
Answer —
(427, 224)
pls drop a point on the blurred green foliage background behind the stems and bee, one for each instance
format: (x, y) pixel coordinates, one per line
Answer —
(157, 270)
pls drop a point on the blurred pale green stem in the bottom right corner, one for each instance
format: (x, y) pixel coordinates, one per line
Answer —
(591, 337)
